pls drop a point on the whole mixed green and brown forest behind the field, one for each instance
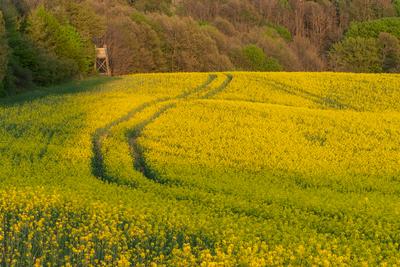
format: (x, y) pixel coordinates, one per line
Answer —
(44, 42)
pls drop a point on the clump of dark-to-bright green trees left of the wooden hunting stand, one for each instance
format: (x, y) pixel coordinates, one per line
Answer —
(43, 50)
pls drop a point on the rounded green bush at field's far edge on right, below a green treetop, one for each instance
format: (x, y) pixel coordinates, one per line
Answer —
(356, 55)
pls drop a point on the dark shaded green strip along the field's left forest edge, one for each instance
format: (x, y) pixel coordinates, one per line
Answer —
(72, 87)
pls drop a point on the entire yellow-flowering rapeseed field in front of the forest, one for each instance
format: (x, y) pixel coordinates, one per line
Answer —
(212, 169)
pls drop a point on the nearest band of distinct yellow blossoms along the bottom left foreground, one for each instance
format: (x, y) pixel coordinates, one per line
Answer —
(41, 227)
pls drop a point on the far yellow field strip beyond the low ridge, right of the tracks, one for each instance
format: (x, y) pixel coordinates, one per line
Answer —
(359, 92)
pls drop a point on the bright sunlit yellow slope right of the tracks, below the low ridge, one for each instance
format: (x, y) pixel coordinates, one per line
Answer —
(356, 150)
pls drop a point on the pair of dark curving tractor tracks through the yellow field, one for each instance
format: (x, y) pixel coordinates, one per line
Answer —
(97, 162)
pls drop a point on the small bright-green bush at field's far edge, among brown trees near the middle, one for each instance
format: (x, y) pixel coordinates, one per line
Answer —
(256, 60)
